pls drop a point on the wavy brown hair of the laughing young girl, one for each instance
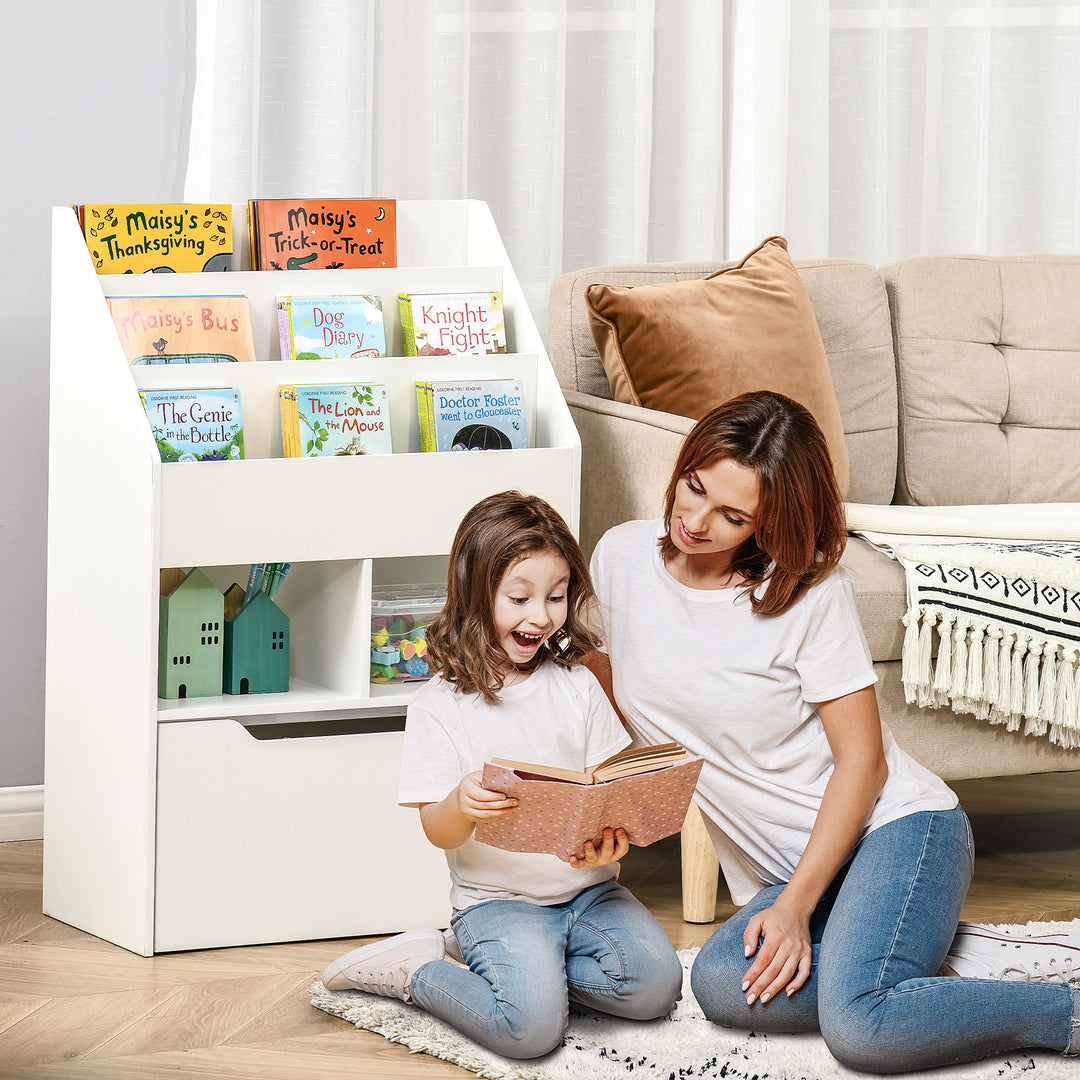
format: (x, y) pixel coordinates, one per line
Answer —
(494, 536)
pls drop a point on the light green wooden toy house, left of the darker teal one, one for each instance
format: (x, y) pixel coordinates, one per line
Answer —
(191, 638)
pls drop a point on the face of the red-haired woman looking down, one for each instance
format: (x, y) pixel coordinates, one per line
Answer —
(715, 509)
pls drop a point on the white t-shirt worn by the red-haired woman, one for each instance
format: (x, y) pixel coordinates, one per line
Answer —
(699, 667)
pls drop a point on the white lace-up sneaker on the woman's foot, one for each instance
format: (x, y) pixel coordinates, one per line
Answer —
(978, 953)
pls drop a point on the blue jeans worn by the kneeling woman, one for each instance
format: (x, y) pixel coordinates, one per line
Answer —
(880, 937)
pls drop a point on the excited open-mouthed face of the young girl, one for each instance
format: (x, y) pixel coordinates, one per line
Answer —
(531, 605)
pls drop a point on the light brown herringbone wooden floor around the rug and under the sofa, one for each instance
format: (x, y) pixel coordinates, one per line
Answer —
(74, 1007)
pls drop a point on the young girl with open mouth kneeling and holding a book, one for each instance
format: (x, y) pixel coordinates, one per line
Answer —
(534, 933)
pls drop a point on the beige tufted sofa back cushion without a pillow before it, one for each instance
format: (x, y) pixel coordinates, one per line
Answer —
(989, 376)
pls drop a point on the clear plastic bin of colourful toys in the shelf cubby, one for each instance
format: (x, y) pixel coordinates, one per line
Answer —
(400, 617)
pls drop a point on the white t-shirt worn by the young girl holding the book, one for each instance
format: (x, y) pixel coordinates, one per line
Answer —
(558, 717)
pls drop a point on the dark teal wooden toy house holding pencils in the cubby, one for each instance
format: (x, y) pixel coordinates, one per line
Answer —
(256, 644)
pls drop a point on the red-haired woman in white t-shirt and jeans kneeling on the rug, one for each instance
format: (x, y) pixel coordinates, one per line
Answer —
(852, 860)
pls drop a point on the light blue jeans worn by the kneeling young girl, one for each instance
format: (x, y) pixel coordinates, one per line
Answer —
(526, 963)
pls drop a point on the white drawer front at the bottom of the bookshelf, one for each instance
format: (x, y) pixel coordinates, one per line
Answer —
(283, 840)
